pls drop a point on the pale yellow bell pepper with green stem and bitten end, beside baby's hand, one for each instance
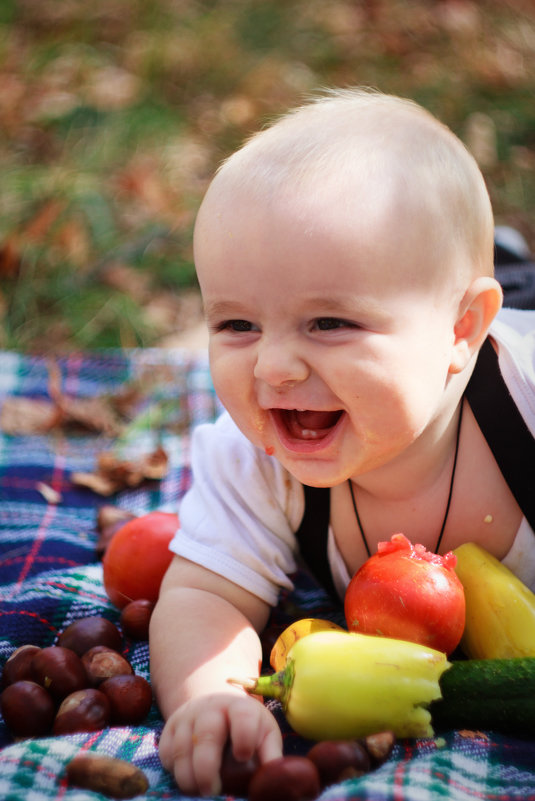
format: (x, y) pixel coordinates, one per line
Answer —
(340, 685)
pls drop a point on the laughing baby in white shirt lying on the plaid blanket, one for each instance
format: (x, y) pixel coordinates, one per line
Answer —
(345, 258)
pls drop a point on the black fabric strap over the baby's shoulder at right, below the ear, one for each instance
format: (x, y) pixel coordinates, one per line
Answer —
(502, 425)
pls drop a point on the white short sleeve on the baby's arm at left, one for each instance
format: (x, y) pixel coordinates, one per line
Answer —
(239, 517)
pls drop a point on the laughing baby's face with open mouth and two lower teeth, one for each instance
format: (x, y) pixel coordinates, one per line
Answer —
(327, 346)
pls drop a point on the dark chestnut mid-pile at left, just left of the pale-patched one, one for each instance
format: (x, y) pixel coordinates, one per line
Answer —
(59, 670)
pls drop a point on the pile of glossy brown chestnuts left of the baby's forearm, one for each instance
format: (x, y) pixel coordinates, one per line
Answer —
(80, 684)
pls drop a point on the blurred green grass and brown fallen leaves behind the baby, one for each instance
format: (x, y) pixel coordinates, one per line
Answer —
(115, 113)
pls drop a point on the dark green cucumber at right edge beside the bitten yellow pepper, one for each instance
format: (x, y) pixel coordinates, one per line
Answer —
(492, 694)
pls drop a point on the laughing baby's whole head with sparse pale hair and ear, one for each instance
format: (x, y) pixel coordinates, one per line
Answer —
(345, 257)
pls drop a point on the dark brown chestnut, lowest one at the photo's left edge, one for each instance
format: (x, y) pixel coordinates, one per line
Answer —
(27, 709)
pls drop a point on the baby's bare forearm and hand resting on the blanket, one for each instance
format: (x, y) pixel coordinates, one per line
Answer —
(204, 631)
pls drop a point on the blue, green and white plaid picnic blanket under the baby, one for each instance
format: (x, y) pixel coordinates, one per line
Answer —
(50, 576)
